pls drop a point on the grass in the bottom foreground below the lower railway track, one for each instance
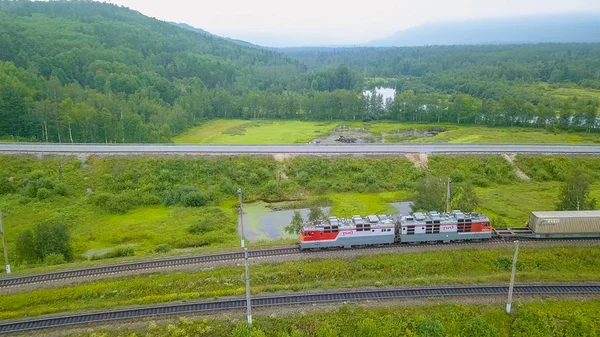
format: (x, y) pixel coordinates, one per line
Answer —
(568, 318)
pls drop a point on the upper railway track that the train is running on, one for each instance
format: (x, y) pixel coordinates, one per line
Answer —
(159, 264)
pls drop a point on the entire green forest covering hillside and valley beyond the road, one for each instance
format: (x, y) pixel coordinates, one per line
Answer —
(81, 71)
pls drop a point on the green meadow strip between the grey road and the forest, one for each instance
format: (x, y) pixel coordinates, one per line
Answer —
(290, 132)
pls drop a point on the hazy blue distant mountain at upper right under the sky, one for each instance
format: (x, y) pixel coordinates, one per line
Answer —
(555, 28)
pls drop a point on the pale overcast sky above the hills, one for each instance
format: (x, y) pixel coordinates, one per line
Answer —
(281, 23)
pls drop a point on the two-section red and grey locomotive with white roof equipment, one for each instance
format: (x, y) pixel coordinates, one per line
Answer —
(383, 229)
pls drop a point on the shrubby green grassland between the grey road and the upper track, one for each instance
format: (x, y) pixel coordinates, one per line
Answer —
(133, 214)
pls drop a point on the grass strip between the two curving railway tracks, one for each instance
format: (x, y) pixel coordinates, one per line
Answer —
(427, 268)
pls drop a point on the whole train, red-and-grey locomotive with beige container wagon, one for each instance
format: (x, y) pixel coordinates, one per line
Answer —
(420, 227)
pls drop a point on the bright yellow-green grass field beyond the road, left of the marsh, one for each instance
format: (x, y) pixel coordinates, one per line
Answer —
(255, 132)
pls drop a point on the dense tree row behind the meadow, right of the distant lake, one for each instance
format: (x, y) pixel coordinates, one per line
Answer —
(570, 113)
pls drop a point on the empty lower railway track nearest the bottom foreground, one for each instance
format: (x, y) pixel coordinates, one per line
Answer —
(305, 298)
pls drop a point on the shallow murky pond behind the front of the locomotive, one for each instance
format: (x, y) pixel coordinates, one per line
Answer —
(262, 223)
